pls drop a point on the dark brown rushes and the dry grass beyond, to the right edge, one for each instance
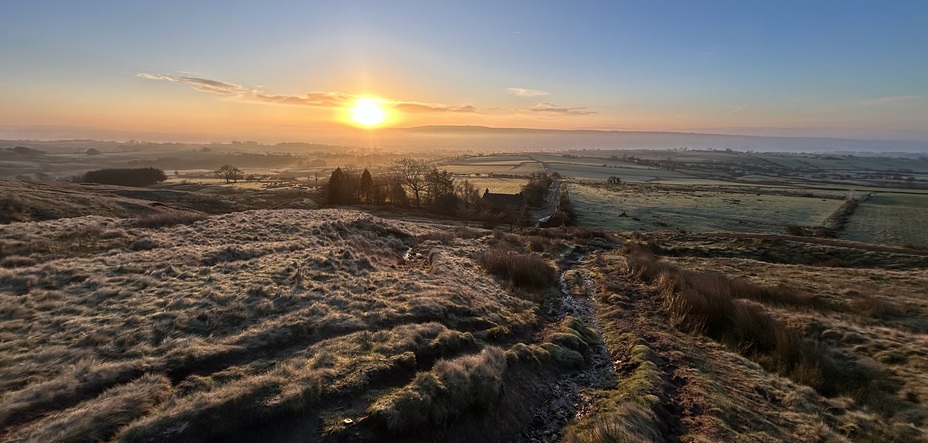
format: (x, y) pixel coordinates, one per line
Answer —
(850, 333)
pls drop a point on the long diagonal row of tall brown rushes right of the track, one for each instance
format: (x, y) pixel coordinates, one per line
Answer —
(711, 304)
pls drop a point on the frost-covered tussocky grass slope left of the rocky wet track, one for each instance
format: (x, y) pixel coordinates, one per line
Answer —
(243, 321)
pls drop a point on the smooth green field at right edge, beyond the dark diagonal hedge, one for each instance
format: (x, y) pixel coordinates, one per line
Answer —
(890, 219)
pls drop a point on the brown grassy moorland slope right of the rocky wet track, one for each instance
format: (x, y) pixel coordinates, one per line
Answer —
(713, 347)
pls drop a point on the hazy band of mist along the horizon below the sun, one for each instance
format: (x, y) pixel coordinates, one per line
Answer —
(483, 139)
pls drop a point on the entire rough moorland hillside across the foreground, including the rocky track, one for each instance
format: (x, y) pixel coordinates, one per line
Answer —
(337, 325)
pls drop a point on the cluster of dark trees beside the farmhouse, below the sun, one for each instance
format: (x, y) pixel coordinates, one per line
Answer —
(409, 183)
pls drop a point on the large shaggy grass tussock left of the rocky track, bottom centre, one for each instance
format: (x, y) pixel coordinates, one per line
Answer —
(439, 396)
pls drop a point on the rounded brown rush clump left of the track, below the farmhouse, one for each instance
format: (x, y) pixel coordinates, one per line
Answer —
(522, 270)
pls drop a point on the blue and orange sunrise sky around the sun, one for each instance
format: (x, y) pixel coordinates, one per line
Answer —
(291, 70)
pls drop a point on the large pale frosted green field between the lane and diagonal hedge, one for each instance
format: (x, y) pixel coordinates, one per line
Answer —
(700, 209)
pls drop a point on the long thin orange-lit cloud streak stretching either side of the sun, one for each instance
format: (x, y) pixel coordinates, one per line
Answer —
(311, 99)
